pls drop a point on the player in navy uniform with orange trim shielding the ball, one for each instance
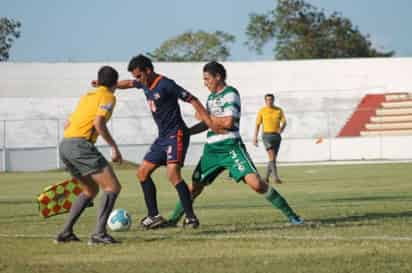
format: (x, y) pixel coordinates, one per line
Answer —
(170, 147)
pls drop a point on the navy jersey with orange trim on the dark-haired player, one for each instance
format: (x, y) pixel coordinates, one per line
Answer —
(162, 97)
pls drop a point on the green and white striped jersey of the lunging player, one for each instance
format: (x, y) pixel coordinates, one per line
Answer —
(224, 103)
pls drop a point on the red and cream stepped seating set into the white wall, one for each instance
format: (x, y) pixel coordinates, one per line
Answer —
(387, 114)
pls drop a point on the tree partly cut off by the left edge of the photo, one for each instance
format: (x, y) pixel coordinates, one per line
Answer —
(9, 30)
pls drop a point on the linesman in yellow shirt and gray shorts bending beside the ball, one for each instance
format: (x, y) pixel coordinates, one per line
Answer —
(85, 162)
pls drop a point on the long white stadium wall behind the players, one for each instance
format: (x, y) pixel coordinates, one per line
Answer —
(317, 96)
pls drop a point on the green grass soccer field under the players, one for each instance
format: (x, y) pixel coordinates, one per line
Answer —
(359, 219)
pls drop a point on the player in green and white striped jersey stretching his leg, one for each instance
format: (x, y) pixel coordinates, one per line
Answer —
(226, 150)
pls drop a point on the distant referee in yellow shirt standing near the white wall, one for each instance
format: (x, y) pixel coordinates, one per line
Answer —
(274, 123)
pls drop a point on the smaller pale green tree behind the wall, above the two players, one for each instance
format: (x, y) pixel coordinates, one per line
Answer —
(194, 46)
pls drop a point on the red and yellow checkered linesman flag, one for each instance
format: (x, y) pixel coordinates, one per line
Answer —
(58, 198)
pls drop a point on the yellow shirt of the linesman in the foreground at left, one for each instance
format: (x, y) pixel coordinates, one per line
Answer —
(98, 102)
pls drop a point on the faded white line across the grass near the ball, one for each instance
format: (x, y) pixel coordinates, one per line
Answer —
(234, 236)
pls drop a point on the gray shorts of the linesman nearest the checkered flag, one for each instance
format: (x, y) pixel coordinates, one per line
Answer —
(81, 157)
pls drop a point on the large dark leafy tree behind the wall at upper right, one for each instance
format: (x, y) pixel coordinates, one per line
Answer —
(302, 31)
